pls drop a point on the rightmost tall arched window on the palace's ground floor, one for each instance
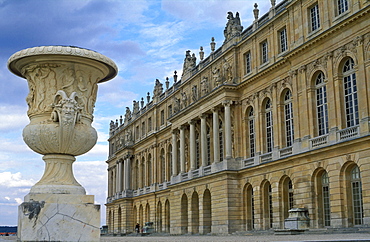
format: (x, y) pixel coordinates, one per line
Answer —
(356, 196)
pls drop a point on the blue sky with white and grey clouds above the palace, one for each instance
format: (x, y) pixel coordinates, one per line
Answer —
(147, 39)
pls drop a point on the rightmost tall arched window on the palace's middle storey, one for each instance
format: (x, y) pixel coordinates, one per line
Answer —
(350, 93)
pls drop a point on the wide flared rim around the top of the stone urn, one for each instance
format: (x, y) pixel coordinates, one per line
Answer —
(54, 50)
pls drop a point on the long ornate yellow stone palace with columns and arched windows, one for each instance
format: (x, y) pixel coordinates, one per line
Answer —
(276, 118)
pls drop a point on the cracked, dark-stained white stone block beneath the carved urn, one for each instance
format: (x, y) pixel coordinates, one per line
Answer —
(59, 217)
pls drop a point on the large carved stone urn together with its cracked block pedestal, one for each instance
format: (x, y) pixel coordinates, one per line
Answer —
(62, 83)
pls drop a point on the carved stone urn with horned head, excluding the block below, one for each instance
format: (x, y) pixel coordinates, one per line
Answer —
(63, 83)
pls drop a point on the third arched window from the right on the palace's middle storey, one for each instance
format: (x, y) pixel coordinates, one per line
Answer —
(288, 111)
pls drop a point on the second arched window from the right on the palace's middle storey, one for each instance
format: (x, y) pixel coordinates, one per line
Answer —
(321, 105)
